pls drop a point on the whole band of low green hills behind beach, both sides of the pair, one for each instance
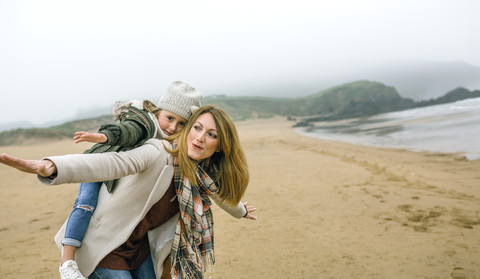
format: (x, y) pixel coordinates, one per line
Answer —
(356, 99)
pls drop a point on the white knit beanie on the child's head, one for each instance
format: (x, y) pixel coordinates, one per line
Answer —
(181, 99)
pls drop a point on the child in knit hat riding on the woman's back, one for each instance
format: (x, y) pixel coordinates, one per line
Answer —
(139, 121)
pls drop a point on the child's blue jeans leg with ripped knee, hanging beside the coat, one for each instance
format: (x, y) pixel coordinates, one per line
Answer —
(85, 204)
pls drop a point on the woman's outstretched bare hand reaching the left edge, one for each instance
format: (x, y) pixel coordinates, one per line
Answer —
(41, 167)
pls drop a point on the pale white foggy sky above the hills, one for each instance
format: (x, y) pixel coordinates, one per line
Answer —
(58, 58)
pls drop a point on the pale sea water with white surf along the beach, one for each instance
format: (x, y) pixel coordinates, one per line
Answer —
(445, 128)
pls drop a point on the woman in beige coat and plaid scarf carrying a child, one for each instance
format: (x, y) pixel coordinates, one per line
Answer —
(139, 220)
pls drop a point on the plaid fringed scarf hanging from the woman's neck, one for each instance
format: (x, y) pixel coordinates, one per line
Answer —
(192, 248)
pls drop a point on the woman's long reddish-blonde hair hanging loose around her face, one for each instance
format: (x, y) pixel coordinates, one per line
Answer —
(232, 177)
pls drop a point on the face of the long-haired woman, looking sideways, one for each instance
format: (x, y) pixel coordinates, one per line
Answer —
(202, 140)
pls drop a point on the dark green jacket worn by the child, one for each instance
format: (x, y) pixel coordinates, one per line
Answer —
(135, 128)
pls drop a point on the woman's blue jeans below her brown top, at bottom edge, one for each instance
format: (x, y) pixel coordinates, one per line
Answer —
(144, 271)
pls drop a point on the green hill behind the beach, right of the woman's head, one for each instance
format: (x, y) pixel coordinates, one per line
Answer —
(349, 100)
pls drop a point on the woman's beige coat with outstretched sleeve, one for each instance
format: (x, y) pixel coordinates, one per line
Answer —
(145, 174)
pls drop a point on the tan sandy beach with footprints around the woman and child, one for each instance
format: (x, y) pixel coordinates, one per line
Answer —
(325, 210)
